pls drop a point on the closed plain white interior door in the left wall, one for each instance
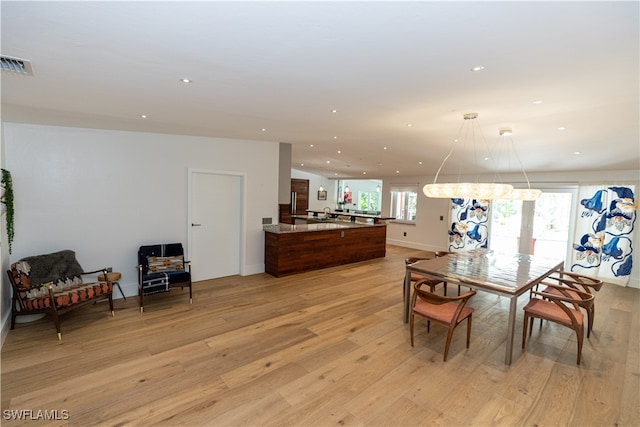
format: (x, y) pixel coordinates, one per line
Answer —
(216, 213)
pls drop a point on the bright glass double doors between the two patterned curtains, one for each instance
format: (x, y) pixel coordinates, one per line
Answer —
(539, 227)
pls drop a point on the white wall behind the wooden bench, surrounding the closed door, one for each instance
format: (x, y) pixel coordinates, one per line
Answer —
(104, 193)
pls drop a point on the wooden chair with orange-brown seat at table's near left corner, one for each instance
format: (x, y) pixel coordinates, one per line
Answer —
(447, 311)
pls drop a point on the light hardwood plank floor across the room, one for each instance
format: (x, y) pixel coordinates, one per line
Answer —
(319, 349)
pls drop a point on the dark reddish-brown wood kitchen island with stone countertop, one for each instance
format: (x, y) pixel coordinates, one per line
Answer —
(291, 249)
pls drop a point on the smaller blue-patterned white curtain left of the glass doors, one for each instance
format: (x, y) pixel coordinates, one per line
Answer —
(469, 224)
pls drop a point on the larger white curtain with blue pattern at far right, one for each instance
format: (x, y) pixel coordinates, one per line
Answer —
(603, 246)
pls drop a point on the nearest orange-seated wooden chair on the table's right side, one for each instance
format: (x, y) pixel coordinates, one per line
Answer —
(562, 306)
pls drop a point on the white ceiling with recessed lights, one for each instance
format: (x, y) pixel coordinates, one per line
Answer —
(284, 66)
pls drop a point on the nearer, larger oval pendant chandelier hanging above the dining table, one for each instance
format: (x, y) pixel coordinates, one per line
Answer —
(466, 190)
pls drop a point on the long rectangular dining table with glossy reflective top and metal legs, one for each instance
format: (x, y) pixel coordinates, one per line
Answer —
(506, 274)
